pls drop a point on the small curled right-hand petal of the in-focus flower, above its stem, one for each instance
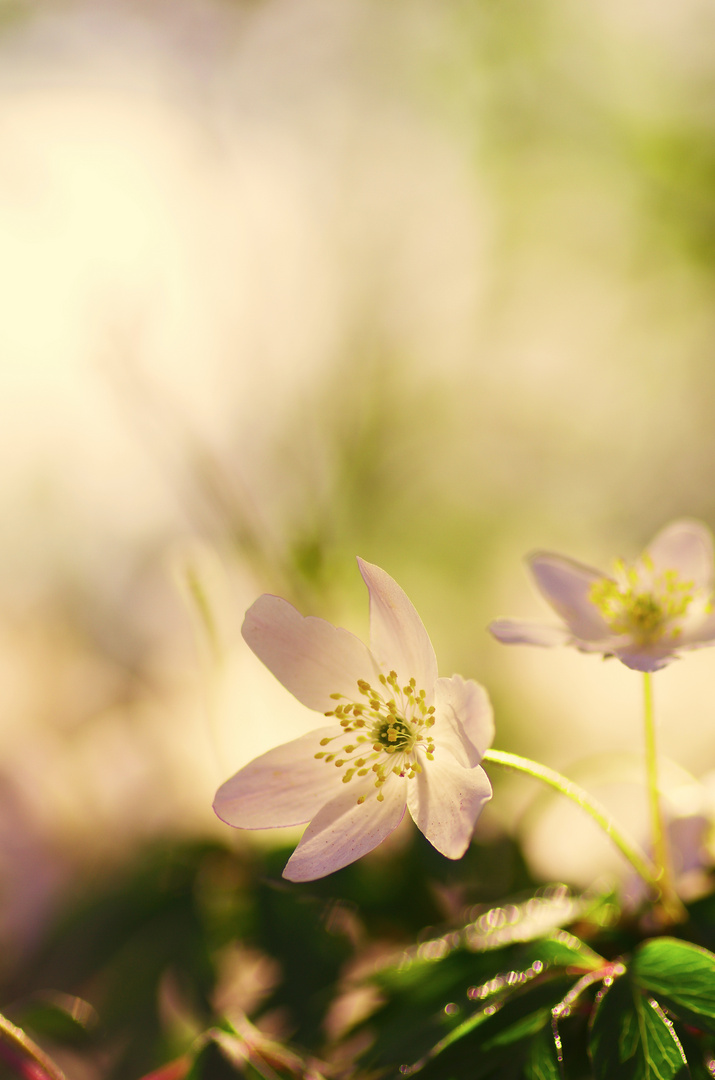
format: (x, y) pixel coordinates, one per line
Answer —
(464, 721)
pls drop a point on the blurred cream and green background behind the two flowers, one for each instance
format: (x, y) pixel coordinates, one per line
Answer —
(282, 283)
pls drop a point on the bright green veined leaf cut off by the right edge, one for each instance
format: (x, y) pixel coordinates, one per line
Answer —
(682, 976)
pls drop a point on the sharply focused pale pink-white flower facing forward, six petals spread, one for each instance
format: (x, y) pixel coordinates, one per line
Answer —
(397, 737)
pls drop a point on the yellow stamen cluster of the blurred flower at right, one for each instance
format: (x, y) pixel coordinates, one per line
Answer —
(642, 603)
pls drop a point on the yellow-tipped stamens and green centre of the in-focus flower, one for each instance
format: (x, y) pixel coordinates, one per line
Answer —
(386, 734)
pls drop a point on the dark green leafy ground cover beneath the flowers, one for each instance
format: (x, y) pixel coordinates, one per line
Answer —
(487, 993)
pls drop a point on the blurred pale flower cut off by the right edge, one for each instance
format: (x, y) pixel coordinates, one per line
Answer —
(645, 614)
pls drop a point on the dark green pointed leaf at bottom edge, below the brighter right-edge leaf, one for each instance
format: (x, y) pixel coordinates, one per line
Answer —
(632, 1039)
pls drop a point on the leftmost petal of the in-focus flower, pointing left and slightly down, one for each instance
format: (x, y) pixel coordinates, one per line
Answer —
(286, 787)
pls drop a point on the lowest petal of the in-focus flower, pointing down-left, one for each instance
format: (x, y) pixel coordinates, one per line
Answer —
(343, 831)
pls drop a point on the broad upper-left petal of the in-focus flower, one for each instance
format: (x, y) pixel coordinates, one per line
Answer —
(311, 657)
